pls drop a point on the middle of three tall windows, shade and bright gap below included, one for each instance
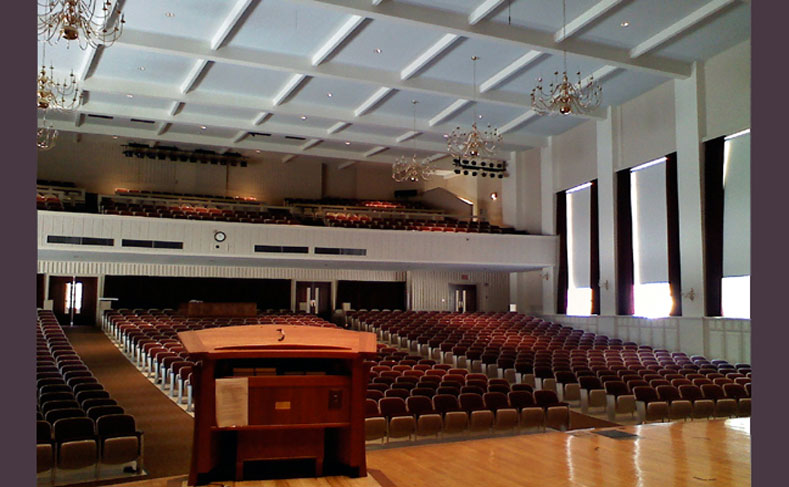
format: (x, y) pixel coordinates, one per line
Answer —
(651, 289)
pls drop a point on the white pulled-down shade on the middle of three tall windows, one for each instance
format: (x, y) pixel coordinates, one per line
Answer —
(650, 223)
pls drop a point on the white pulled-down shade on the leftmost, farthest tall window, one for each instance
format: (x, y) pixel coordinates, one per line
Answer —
(579, 211)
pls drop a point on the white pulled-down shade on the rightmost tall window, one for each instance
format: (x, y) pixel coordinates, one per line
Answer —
(737, 206)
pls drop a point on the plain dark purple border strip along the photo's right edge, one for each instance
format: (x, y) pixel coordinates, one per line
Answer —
(769, 268)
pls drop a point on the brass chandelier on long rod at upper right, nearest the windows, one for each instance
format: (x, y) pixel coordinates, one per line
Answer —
(564, 97)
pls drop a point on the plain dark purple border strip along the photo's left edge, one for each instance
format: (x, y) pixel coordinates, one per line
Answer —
(19, 244)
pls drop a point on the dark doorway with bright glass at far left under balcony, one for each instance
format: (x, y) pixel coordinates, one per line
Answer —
(74, 299)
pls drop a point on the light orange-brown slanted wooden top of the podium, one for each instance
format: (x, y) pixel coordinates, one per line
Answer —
(252, 341)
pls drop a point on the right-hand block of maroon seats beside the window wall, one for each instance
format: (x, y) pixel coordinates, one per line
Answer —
(580, 372)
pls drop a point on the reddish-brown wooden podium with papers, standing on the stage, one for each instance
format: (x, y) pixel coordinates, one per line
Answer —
(270, 392)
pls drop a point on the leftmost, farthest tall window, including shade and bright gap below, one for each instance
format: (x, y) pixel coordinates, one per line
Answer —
(579, 213)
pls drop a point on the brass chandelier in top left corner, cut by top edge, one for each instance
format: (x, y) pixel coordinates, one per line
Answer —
(80, 20)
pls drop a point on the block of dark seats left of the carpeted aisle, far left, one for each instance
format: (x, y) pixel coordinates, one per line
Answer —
(79, 425)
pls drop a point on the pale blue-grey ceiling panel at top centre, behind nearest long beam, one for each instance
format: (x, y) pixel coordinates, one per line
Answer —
(399, 44)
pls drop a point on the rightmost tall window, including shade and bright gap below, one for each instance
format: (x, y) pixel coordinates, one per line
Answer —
(736, 282)
